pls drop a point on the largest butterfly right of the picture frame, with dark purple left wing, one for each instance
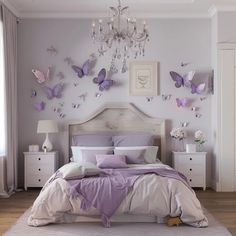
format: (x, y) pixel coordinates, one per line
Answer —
(185, 80)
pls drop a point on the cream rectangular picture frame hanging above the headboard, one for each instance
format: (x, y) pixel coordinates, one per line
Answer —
(144, 78)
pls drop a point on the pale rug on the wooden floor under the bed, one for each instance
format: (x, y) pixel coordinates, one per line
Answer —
(118, 229)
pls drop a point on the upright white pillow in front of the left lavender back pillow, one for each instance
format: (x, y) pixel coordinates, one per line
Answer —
(88, 154)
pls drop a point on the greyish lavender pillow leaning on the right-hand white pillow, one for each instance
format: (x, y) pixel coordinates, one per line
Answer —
(132, 156)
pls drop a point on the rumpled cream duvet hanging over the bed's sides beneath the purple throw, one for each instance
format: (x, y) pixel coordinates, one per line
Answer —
(151, 195)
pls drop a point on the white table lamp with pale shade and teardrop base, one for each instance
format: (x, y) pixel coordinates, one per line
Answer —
(47, 126)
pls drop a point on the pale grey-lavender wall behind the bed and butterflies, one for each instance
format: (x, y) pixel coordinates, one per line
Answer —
(172, 41)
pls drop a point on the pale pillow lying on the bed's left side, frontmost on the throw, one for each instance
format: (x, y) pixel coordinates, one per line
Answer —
(79, 170)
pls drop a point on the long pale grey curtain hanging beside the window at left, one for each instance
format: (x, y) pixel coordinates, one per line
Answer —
(10, 60)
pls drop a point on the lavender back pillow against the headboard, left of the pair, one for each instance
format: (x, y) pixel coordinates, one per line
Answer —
(92, 140)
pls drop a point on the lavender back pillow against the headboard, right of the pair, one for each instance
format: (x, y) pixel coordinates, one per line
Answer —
(133, 140)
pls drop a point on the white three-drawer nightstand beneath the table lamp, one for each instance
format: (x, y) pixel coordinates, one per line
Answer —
(39, 166)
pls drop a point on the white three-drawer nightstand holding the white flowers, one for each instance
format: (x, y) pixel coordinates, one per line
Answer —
(192, 165)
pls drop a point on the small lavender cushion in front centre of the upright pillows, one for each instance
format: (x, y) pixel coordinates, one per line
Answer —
(111, 161)
